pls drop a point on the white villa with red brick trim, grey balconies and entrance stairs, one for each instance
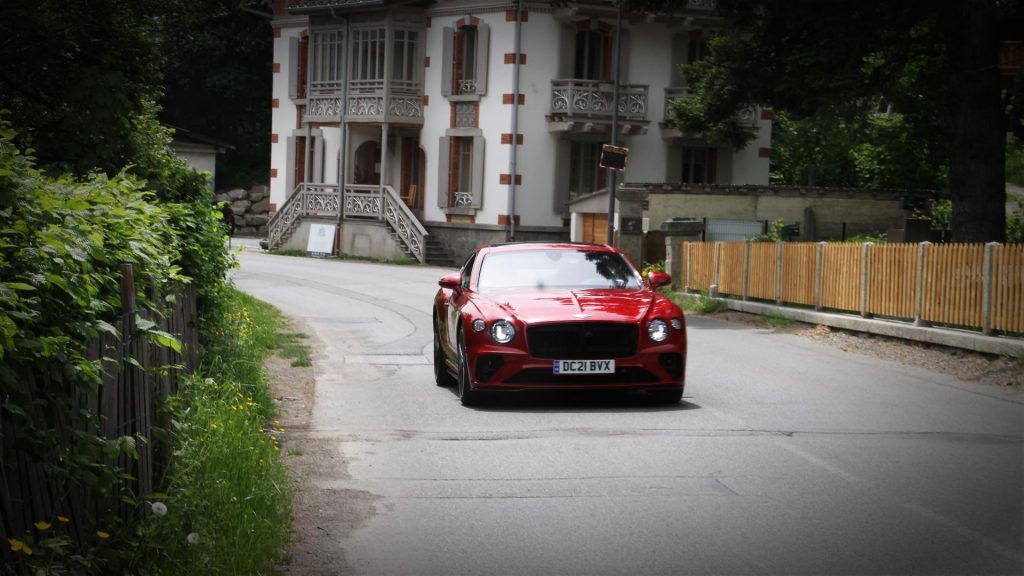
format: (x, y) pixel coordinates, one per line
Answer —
(425, 129)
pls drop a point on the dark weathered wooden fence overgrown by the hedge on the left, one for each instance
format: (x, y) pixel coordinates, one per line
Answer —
(125, 405)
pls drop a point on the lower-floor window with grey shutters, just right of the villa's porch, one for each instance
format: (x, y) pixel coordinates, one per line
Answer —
(461, 171)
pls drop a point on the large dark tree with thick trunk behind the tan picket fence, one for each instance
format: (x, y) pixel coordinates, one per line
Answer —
(935, 62)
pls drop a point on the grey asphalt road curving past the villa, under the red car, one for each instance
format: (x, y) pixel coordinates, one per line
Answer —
(786, 458)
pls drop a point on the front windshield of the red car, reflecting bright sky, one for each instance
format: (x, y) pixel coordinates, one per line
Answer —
(557, 269)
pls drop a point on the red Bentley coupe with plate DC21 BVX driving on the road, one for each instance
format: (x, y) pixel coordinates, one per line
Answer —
(546, 316)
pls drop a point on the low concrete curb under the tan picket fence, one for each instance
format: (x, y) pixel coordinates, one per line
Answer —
(945, 337)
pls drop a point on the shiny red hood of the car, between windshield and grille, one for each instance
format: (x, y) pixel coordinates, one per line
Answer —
(533, 307)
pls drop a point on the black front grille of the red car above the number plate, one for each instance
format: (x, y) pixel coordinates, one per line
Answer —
(591, 341)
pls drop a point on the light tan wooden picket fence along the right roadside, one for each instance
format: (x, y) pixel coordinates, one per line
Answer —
(967, 285)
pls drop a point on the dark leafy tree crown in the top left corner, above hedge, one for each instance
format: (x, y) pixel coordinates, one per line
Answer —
(76, 75)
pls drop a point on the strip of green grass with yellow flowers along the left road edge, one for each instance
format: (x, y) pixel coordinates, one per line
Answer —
(230, 488)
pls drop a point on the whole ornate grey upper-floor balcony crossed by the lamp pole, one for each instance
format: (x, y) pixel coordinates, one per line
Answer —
(586, 106)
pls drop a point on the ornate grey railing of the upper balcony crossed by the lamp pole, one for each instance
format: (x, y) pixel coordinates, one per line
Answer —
(593, 100)
